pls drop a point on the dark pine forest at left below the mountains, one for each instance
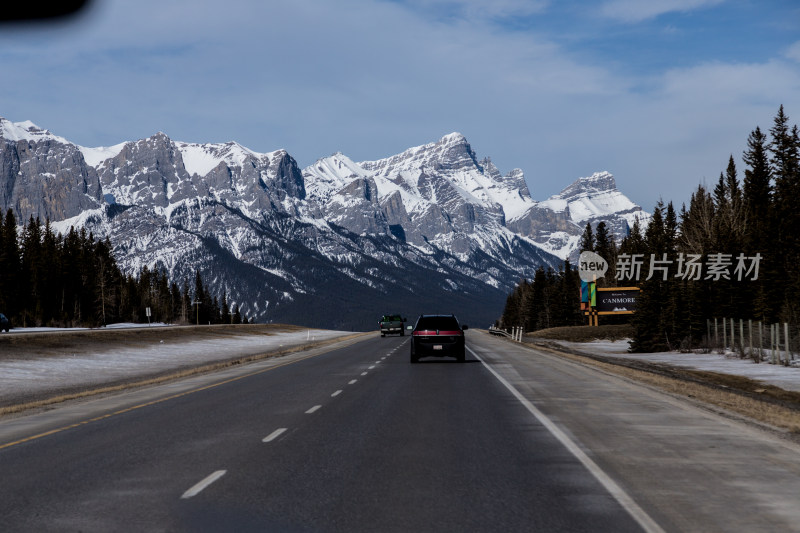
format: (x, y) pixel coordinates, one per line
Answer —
(49, 279)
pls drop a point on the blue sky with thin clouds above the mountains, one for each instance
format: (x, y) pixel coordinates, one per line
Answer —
(658, 92)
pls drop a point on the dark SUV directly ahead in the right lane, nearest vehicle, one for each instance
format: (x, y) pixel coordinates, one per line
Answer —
(438, 336)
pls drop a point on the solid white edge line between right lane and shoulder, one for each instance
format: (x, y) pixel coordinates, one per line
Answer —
(638, 514)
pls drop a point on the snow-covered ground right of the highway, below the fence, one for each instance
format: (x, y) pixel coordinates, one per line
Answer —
(785, 377)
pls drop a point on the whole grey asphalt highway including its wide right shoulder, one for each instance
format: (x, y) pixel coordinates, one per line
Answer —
(354, 438)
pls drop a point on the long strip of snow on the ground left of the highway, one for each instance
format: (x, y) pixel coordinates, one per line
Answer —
(24, 377)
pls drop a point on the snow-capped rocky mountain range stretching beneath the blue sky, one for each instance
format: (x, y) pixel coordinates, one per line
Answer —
(335, 244)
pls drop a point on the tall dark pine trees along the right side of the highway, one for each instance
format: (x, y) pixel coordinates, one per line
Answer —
(757, 215)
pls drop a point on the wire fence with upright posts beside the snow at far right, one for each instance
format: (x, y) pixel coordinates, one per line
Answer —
(771, 343)
